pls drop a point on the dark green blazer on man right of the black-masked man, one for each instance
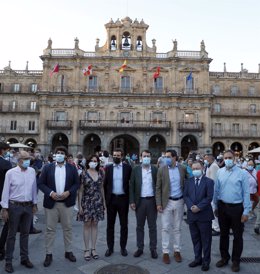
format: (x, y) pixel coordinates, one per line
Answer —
(136, 183)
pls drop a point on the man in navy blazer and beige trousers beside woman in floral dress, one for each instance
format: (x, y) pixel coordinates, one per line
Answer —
(59, 182)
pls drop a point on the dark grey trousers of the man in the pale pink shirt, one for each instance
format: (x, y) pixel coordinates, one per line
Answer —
(19, 216)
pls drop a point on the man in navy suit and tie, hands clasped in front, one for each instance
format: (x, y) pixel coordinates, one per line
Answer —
(198, 194)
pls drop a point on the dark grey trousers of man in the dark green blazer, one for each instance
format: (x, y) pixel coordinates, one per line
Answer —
(146, 210)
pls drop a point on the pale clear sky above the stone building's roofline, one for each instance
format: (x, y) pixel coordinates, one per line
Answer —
(229, 28)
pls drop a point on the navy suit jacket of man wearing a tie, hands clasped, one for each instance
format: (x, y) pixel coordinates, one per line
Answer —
(202, 198)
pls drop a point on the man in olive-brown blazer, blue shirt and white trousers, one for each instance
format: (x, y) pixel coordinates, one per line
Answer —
(170, 203)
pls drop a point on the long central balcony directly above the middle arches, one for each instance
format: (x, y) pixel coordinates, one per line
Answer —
(124, 124)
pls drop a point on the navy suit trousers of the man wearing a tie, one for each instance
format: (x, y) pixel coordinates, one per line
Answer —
(201, 238)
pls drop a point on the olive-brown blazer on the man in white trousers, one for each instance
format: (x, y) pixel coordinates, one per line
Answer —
(163, 184)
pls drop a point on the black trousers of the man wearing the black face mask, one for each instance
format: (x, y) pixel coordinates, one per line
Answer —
(120, 205)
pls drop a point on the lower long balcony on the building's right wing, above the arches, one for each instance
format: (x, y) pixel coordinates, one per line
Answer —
(228, 133)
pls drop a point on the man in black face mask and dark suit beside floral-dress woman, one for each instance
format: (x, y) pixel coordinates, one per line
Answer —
(116, 188)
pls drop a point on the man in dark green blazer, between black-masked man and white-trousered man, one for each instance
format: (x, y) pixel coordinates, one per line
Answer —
(142, 200)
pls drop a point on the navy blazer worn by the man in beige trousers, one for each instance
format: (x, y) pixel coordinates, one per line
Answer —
(47, 184)
